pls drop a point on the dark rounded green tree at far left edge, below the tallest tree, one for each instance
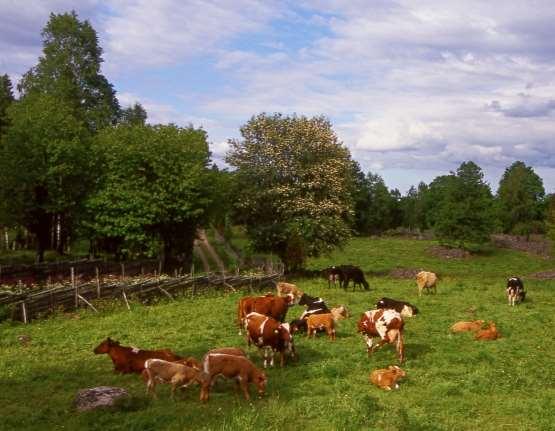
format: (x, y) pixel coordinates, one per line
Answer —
(44, 167)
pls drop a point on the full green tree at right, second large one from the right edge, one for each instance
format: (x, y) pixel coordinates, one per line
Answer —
(464, 207)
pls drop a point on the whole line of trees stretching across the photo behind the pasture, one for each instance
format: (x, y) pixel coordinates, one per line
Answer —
(75, 164)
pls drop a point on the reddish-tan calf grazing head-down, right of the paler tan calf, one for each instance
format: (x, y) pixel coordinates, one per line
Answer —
(232, 367)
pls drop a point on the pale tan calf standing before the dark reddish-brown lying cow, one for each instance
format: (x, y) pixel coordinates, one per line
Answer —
(176, 374)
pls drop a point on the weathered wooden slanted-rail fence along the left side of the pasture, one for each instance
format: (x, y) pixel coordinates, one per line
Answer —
(31, 305)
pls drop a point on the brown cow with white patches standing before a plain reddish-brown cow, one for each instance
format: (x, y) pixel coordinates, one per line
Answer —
(272, 336)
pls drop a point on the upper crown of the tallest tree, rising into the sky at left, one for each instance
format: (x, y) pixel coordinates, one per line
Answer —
(69, 70)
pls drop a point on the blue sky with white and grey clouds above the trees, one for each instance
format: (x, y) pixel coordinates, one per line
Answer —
(412, 88)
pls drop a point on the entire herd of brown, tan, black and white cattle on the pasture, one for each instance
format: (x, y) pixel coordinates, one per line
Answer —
(263, 319)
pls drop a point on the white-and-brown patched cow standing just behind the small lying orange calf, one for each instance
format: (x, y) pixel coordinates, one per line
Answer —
(386, 324)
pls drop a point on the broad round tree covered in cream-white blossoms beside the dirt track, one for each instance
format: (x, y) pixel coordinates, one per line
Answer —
(294, 181)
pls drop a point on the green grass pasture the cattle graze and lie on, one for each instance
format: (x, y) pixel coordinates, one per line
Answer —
(452, 383)
